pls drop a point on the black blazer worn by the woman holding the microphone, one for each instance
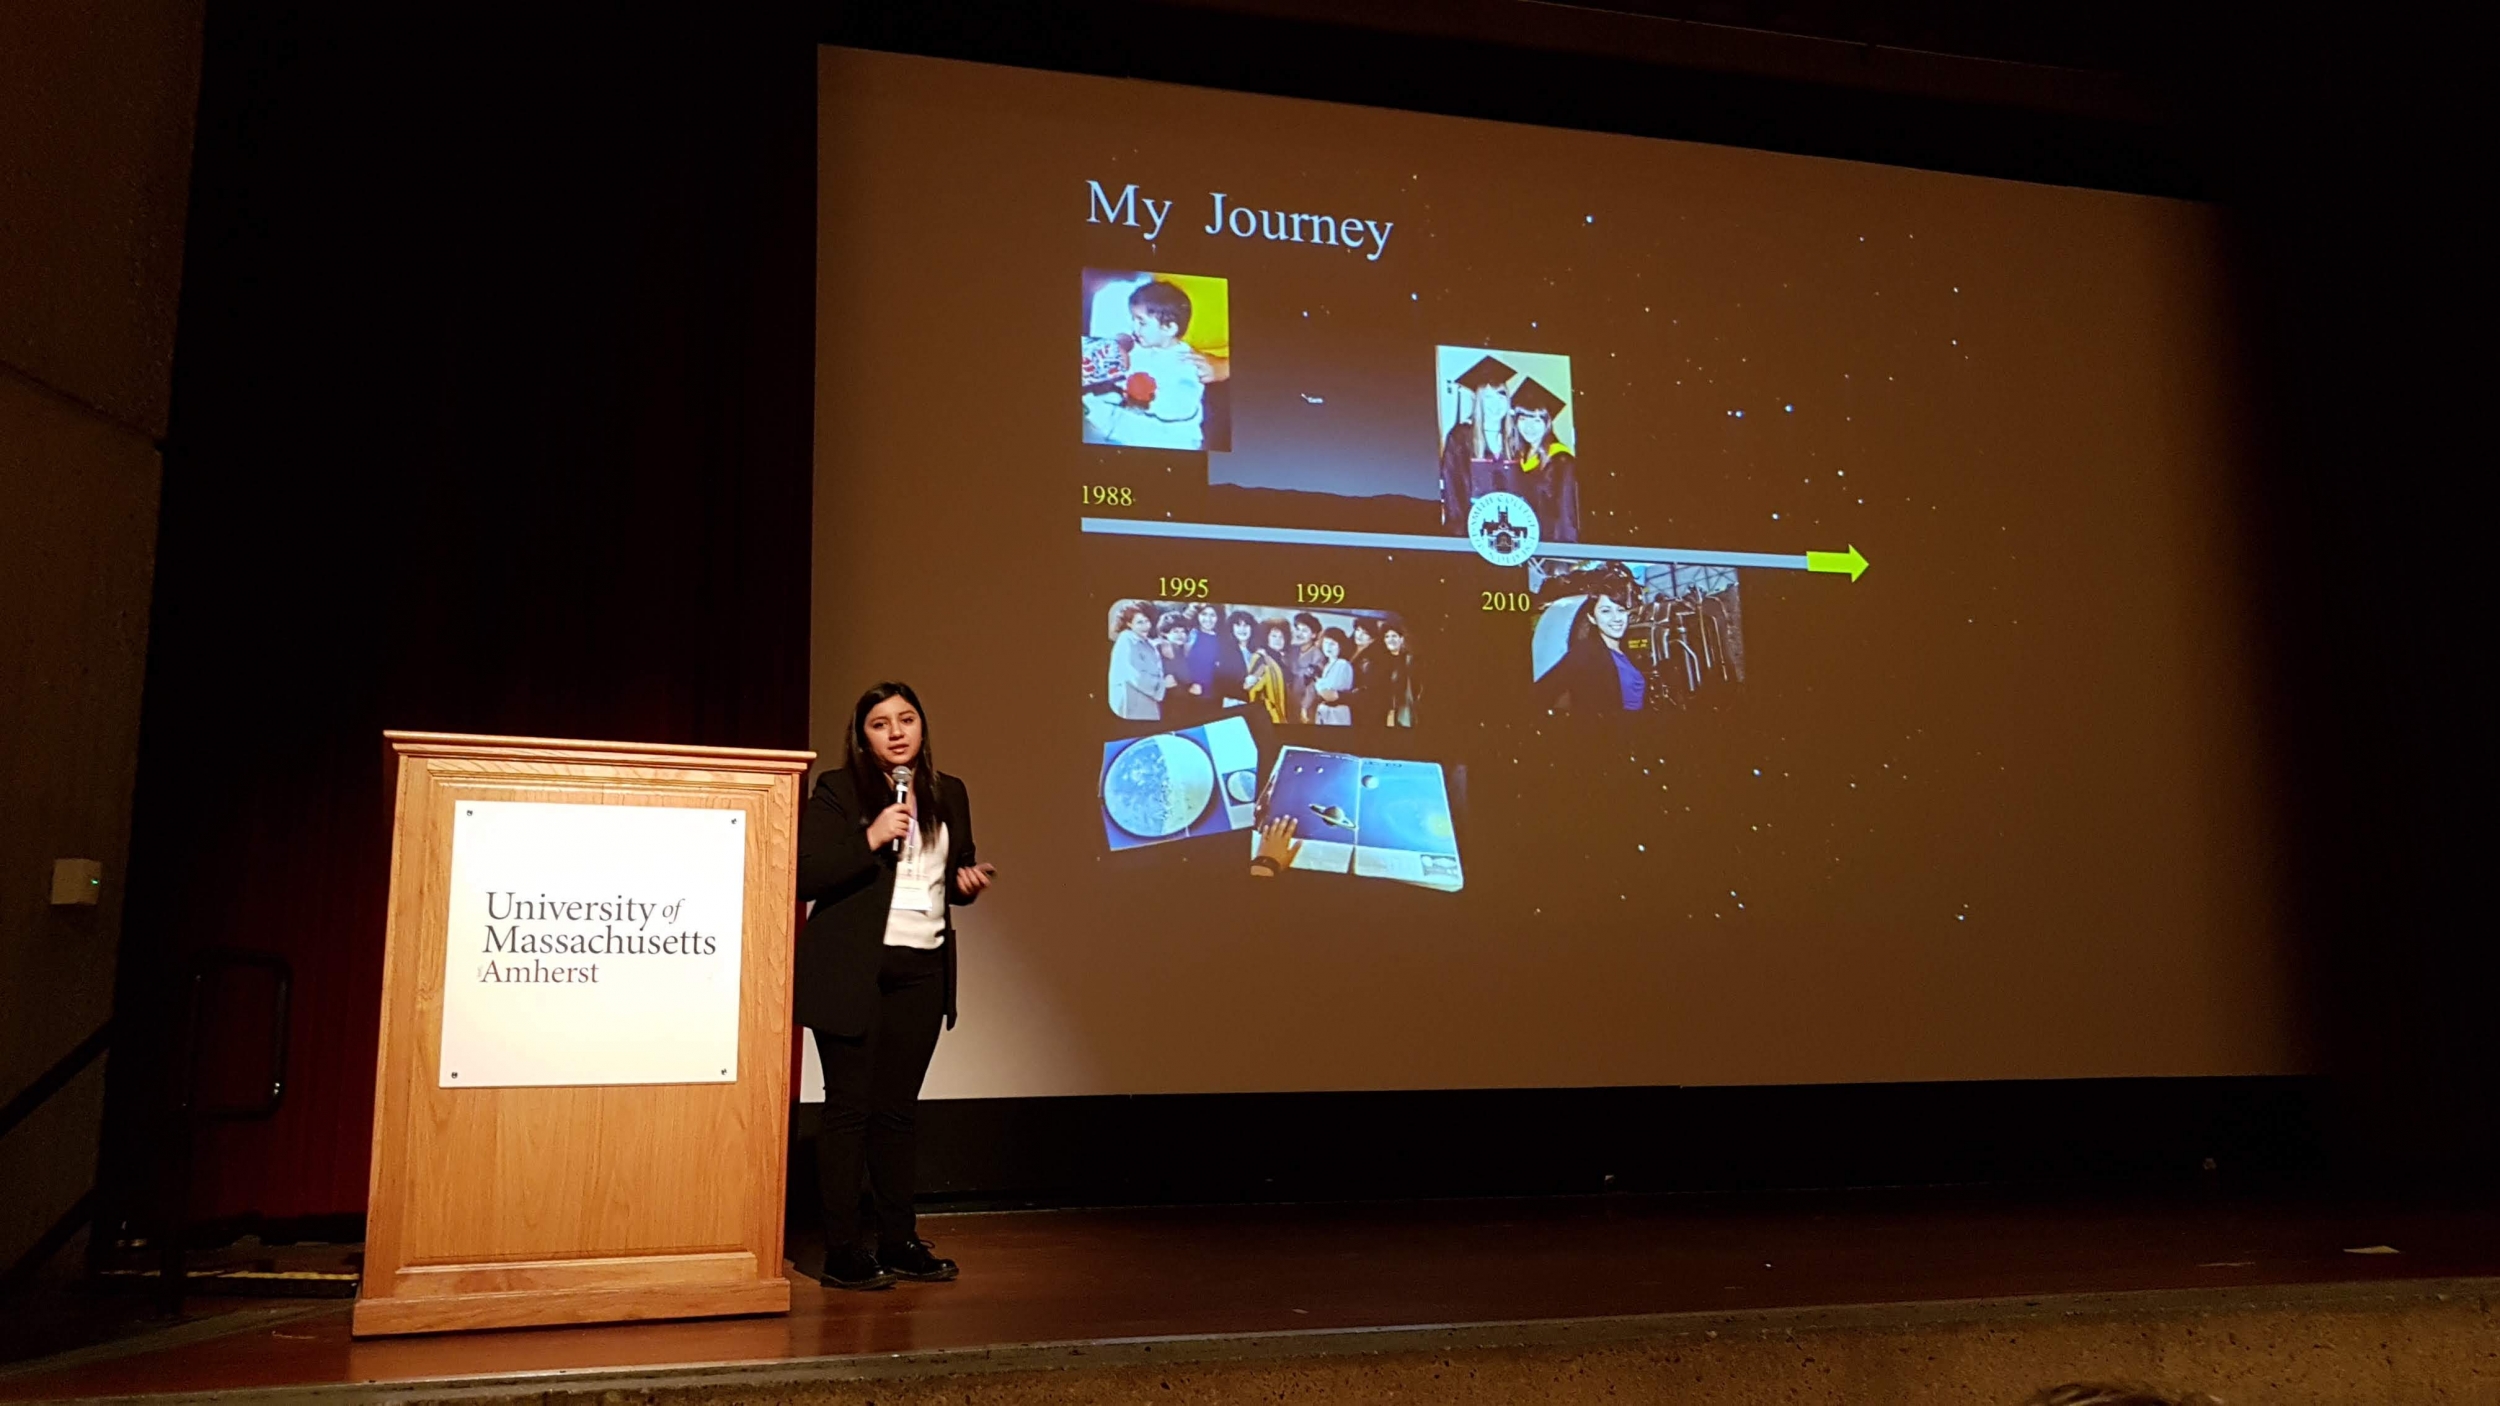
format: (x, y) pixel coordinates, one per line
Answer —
(854, 889)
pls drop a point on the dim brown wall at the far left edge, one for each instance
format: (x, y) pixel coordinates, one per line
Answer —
(94, 176)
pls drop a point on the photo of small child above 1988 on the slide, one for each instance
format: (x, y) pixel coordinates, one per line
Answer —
(1154, 362)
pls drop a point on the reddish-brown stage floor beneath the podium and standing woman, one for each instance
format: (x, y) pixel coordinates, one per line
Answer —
(1196, 1275)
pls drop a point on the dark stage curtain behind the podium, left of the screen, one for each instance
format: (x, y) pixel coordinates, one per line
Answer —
(491, 414)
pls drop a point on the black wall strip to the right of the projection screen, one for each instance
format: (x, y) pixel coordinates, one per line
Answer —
(2339, 146)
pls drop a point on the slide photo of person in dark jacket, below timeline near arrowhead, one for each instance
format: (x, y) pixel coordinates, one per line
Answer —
(1634, 637)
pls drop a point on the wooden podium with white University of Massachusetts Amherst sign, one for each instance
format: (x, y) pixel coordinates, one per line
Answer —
(581, 1185)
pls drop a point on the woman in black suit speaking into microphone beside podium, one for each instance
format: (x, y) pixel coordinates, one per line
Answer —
(884, 862)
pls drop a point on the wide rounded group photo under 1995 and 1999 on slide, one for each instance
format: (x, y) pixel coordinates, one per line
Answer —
(1194, 662)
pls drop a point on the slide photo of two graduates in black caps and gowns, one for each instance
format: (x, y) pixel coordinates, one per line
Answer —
(1506, 427)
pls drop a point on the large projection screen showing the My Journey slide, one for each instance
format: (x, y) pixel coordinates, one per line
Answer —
(1516, 607)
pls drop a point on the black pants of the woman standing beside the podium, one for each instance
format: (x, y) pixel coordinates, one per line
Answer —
(874, 1097)
